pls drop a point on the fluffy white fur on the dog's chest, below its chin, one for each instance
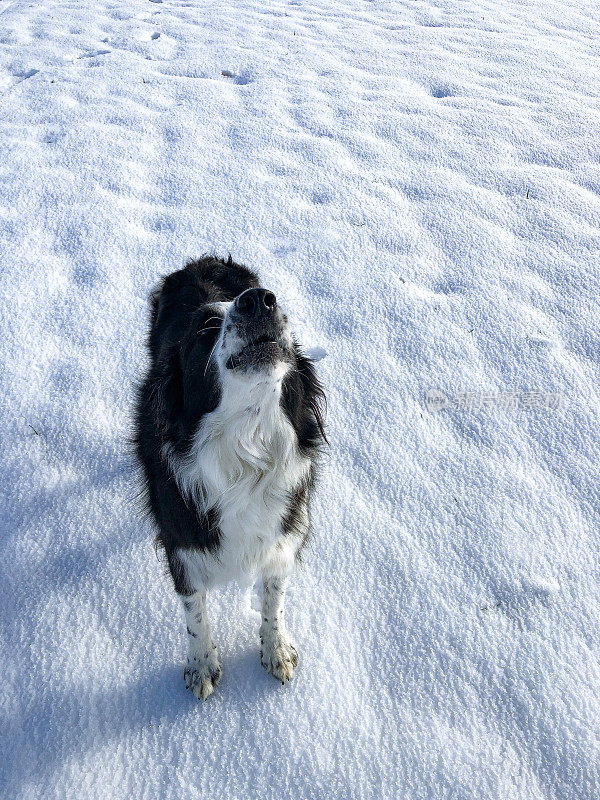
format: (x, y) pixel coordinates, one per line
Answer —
(243, 463)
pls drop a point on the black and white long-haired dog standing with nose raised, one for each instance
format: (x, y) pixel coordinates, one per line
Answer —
(228, 429)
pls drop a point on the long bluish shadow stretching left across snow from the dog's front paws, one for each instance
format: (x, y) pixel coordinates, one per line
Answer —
(57, 726)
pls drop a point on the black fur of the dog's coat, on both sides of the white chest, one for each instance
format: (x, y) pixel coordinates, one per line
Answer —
(179, 389)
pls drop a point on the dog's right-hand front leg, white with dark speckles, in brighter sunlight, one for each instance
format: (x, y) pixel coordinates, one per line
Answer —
(278, 654)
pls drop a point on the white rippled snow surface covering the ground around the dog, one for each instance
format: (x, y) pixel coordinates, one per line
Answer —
(419, 183)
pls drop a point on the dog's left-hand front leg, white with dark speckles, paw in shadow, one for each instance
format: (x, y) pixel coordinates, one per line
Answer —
(203, 671)
